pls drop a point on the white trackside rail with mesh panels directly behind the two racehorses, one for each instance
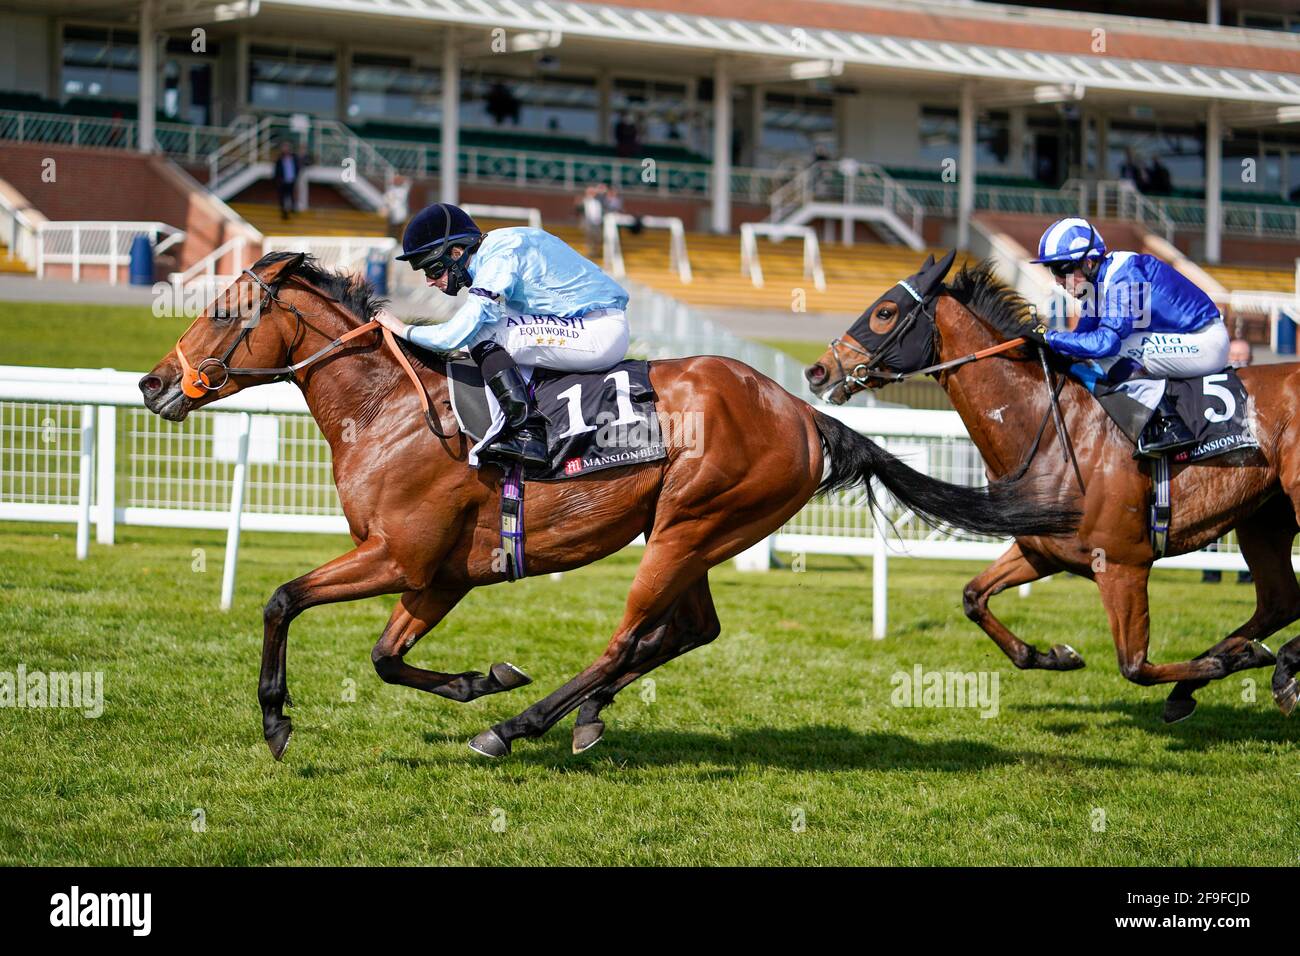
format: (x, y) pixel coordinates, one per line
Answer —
(79, 448)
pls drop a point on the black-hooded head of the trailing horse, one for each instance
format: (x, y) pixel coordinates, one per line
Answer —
(895, 336)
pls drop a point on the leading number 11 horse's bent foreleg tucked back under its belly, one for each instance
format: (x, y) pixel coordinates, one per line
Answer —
(418, 613)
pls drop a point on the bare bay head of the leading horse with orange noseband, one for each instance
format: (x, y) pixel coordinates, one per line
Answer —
(245, 326)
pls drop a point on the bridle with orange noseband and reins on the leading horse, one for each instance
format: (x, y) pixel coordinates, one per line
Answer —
(213, 374)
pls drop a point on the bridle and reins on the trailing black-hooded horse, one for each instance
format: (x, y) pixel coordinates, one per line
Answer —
(866, 371)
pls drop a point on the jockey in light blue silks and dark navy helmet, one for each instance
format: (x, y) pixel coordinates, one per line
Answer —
(534, 301)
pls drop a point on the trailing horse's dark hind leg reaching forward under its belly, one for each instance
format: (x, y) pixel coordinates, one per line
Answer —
(1266, 539)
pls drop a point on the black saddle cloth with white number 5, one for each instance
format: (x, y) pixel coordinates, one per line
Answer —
(1214, 408)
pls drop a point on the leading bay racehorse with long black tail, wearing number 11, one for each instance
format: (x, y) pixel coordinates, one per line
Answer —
(427, 525)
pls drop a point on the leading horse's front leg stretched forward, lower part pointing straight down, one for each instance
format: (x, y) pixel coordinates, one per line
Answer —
(365, 572)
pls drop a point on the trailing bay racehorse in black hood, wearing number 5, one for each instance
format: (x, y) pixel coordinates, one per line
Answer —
(969, 336)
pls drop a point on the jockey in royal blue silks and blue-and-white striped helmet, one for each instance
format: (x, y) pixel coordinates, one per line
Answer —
(1139, 318)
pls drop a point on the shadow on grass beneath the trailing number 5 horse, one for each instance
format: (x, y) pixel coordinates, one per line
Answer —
(1210, 726)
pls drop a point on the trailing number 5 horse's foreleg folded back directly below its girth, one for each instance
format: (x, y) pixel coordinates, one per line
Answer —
(1124, 592)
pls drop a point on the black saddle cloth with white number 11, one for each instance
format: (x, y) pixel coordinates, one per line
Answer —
(595, 421)
